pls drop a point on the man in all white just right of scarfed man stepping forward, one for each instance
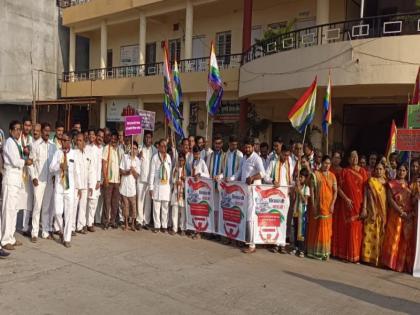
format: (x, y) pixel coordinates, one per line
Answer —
(84, 183)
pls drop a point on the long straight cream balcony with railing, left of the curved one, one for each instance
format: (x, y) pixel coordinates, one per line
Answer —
(146, 80)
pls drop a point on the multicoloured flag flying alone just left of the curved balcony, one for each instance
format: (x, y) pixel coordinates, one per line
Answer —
(215, 85)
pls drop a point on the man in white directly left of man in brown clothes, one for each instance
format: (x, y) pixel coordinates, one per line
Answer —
(95, 149)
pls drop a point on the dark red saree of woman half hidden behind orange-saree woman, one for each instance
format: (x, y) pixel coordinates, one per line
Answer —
(338, 239)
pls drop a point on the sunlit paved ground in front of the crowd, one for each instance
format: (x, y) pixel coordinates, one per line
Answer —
(118, 272)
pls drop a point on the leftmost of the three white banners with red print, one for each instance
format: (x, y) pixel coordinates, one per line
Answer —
(200, 205)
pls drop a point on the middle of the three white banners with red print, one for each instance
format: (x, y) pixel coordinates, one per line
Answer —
(233, 210)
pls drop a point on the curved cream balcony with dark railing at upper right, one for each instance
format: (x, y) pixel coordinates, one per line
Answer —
(371, 57)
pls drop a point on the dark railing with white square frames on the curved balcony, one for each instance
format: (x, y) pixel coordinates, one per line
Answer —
(370, 27)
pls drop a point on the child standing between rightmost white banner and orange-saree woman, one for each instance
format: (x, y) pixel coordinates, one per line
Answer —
(302, 194)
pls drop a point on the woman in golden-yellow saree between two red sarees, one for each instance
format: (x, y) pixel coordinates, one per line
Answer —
(374, 213)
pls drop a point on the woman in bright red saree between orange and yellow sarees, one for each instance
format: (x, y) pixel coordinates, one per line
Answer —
(351, 190)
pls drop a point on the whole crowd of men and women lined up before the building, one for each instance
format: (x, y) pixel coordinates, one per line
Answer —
(67, 184)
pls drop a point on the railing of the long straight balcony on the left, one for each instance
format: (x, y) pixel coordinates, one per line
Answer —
(187, 65)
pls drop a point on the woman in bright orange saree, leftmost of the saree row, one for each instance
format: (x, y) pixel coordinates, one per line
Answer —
(325, 189)
